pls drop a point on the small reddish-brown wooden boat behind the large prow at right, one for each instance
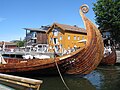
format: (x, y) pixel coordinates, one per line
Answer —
(110, 58)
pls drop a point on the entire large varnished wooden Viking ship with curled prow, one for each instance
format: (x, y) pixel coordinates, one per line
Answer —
(82, 61)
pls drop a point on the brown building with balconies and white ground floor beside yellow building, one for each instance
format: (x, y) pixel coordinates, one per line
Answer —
(36, 39)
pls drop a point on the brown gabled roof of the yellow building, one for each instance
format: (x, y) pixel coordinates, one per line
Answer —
(68, 28)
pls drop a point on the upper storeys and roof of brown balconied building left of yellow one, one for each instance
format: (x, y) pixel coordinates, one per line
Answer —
(36, 36)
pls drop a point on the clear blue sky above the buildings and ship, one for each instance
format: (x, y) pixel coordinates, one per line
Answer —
(18, 14)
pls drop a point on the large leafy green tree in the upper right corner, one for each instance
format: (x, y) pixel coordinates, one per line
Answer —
(107, 14)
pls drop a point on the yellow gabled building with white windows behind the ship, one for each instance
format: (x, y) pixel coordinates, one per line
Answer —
(64, 37)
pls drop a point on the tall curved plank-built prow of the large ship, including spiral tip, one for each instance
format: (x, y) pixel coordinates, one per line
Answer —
(88, 58)
